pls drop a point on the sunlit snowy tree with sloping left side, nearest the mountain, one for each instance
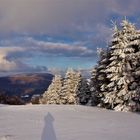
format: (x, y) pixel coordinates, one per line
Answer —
(52, 95)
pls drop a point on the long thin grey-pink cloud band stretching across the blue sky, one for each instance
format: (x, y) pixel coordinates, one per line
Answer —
(30, 46)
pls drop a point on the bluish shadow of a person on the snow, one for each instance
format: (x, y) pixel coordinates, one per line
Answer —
(48, 131)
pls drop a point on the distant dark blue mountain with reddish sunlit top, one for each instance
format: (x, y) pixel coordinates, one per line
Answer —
(25, 85)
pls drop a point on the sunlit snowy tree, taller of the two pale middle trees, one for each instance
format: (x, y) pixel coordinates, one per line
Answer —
(70, 85)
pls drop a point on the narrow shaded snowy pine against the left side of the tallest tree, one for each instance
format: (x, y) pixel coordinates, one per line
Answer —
(99, 81)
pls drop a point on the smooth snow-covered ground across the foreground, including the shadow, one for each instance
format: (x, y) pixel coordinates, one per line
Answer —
(52, 122)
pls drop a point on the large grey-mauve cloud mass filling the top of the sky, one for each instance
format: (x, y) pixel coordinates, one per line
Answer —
(60, 16)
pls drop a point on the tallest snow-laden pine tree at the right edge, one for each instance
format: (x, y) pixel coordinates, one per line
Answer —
(123, 90)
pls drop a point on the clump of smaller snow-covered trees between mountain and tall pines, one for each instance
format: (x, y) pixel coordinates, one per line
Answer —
(73, 89)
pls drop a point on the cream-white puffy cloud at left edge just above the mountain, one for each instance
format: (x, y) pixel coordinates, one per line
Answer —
(8, 64)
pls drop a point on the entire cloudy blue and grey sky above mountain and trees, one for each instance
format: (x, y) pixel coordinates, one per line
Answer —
(40, 35)
